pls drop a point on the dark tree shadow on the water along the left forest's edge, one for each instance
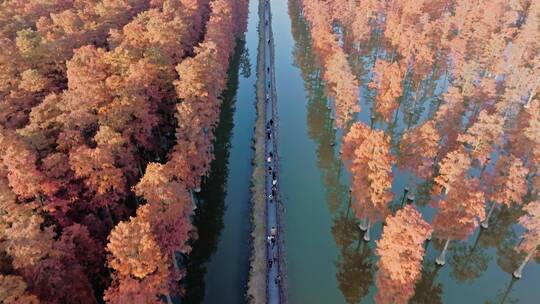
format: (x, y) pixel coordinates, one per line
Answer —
(209, 216)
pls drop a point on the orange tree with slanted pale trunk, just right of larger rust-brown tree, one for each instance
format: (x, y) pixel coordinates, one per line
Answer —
(507, 185)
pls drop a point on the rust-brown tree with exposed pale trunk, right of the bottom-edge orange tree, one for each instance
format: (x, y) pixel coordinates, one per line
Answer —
(459, 213)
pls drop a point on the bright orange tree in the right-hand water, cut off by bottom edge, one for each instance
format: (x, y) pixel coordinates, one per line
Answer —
(401, 251)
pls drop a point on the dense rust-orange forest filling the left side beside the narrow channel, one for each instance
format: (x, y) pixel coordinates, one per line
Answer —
(107, 114)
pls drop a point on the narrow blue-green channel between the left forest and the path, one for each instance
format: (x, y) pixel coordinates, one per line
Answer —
(218, 266)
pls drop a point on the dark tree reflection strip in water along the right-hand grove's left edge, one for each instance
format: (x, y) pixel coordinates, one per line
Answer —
(355, 263)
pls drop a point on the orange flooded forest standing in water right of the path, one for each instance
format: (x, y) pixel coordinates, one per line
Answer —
(476, 150)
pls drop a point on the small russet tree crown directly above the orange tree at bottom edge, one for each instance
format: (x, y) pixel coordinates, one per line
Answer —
(419, 148)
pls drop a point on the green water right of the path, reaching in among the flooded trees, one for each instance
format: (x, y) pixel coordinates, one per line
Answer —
(326, 260)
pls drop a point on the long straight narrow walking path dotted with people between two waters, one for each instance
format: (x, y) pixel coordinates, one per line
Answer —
(274, 280)
